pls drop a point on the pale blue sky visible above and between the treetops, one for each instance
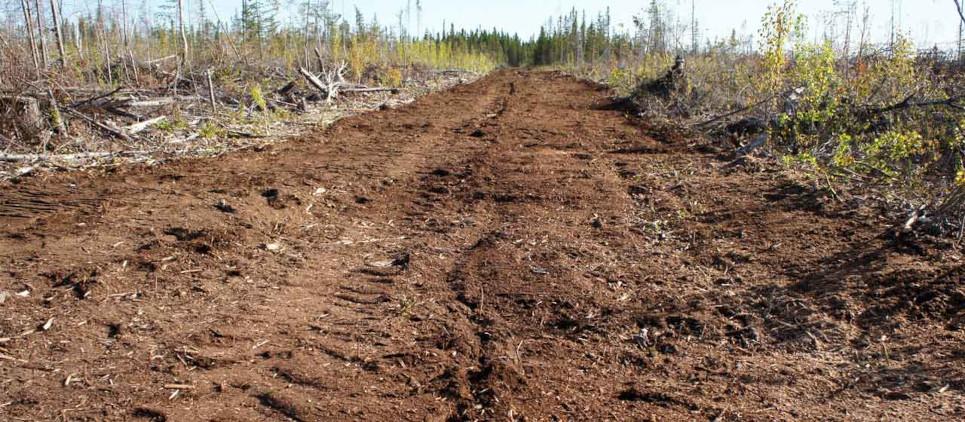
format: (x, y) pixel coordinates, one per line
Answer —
(929, 21)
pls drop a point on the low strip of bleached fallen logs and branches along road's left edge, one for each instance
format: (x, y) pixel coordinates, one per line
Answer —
(205, 113)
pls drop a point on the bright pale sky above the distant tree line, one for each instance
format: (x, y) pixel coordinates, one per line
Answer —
(933, 25)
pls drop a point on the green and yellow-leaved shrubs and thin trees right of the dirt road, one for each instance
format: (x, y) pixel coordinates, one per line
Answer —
(886, 118)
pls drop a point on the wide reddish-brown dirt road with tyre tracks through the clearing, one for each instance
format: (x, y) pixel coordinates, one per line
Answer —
(512, 249)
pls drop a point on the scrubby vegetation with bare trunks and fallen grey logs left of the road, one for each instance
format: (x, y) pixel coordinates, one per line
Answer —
(124, 81)
